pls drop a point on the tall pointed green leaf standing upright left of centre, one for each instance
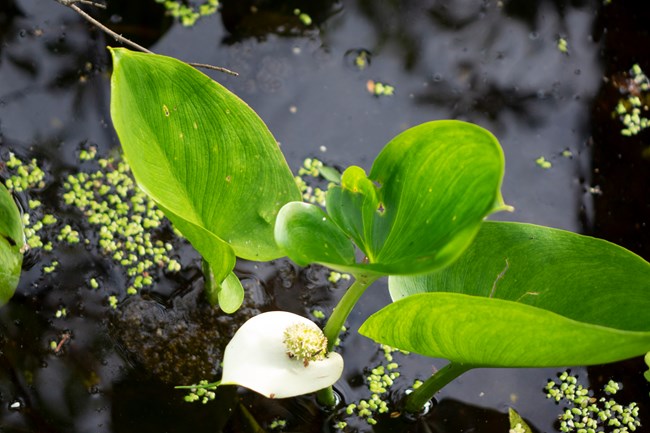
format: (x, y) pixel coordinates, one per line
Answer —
(203, 155)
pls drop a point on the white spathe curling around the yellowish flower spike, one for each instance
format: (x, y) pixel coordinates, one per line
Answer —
(256, 358)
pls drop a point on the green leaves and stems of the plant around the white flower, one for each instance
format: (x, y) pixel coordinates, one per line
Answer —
(481, 294)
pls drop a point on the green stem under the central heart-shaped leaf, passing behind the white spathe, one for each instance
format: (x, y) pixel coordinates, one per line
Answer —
(335, 323)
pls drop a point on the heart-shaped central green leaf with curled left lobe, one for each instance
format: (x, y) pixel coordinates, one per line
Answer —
(420, 207)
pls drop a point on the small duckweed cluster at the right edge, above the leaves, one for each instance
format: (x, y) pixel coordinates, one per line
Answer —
(630, 109)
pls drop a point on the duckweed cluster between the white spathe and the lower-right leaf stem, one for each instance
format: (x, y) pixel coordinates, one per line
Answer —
(379, 381)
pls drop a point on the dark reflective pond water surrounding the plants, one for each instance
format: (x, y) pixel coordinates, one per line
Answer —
(493, 63)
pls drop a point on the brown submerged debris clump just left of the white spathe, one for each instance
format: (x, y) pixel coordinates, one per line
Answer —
(178, 343)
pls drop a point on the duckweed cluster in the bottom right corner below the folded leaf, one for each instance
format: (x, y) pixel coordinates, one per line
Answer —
(588, 414)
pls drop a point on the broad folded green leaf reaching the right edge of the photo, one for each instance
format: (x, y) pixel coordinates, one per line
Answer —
(523, 296)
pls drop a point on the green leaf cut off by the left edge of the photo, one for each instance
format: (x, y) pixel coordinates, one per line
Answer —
(11, 241)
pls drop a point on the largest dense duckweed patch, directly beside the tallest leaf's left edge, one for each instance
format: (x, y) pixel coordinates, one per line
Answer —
(125, 217)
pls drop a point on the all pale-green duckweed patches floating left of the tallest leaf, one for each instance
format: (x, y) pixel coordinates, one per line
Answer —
(122, 216)
